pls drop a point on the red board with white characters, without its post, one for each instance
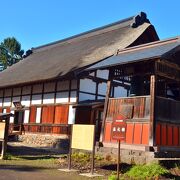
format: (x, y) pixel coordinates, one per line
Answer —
(119, 128)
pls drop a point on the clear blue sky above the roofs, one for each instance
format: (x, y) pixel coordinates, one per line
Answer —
(37, 22)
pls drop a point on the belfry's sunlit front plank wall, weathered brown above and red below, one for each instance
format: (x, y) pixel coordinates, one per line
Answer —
(137, 126)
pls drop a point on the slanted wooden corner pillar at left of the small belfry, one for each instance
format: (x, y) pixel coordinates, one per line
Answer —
(108, 93)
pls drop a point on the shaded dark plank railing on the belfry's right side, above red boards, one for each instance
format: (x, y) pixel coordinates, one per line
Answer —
(167, 110)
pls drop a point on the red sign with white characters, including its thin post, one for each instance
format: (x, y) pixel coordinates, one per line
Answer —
(119, 133)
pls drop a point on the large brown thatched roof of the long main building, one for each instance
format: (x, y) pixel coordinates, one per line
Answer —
(65, 57)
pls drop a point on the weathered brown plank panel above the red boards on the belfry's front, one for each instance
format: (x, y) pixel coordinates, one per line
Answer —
(131, 107)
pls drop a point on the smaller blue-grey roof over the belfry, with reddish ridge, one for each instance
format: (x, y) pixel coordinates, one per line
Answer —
(138, 53)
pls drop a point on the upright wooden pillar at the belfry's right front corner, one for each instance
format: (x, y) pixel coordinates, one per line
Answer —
(152, 110)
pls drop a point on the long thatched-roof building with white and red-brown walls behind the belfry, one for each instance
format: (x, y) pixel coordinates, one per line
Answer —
(45, 90)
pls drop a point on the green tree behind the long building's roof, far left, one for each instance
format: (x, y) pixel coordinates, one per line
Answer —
(10, 52)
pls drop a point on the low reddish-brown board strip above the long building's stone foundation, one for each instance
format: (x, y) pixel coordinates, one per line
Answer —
(47, 128)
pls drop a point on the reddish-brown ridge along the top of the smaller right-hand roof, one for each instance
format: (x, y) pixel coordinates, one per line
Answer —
(155, 43)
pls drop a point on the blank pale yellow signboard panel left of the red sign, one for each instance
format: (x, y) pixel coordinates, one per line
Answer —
(83, 137)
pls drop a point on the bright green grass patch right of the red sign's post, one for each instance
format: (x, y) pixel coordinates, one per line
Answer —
(148, 171)
